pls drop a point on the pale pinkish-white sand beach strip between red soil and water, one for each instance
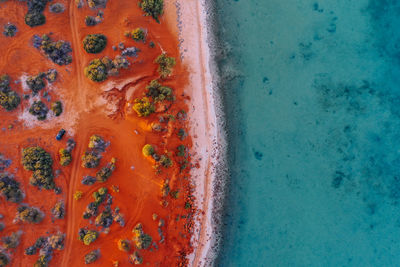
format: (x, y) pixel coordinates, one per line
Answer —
(206, 128)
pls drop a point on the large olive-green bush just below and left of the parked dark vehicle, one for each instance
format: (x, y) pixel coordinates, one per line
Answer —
(36, 159)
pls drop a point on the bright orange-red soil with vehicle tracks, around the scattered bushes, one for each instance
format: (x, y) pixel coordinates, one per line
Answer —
(86, 114)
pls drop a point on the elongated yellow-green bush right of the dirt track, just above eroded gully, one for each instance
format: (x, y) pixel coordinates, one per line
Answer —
(99, 69)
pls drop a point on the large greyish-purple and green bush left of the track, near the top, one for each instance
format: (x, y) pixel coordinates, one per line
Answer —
(58, 51)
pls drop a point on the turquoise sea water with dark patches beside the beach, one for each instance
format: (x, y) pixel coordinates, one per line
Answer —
(313, 113)
